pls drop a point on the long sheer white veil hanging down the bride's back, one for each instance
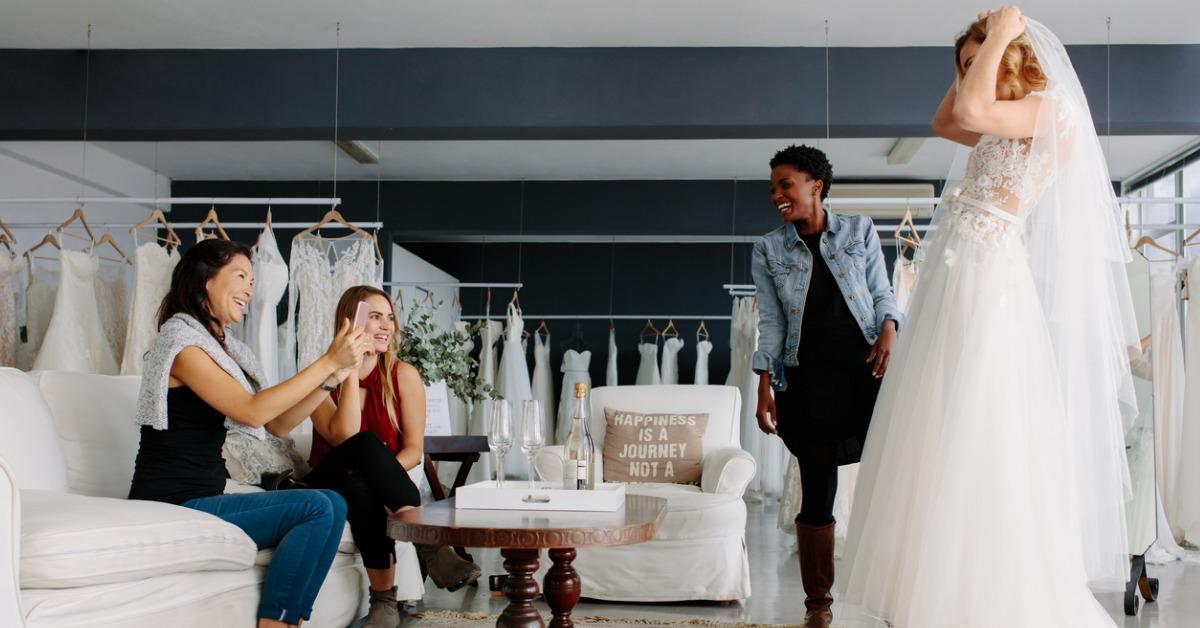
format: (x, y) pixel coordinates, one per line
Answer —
(1078, 256)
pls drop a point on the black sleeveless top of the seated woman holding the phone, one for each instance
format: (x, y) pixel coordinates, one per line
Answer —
(183, 462)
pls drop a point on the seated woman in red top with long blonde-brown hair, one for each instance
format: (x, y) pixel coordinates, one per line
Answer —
(367, 436)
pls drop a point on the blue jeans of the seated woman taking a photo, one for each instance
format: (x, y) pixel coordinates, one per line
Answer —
(304, 527)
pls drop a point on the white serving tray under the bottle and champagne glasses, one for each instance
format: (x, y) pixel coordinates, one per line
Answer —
(517, 497)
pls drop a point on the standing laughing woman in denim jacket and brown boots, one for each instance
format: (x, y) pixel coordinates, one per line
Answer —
(827, 325)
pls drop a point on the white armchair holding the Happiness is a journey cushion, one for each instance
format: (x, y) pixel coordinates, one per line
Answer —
(700, 553)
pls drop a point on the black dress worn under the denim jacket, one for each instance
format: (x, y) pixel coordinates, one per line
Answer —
(826, 411)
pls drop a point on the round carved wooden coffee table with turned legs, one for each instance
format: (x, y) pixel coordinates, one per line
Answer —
(520, 535)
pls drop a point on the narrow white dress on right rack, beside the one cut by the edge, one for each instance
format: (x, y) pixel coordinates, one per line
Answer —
(1167, 356)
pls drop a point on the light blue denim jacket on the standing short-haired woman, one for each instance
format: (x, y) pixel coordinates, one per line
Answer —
(782, 270)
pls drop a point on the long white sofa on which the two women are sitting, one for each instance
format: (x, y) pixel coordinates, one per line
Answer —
(75, 553)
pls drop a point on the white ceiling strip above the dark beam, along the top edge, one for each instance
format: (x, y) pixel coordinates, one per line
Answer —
(568, 23)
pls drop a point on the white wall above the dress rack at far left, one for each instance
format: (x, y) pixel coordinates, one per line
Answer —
(56, 170)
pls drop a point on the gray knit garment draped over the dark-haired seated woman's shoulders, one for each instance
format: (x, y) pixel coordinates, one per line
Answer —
(183, 331)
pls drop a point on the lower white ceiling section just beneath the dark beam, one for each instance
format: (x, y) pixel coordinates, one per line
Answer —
(574, 160)
